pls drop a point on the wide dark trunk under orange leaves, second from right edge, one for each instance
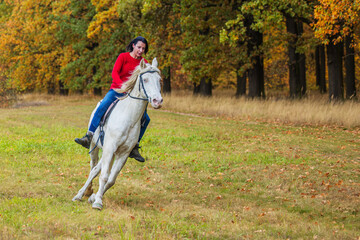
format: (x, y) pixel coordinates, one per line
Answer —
(335, 72)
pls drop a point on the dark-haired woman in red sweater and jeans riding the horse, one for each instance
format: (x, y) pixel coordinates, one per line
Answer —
(123, 68)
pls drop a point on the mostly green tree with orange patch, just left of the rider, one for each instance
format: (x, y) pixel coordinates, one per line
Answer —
(93, 39)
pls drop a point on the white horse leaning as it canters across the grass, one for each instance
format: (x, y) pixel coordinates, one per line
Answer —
(122, 129)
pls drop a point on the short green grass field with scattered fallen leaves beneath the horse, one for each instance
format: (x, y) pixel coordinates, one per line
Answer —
(206, 177)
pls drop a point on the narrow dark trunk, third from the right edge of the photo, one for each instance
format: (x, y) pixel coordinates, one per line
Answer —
(320, 68)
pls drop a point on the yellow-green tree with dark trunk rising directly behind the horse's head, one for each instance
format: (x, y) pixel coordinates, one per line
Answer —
(157, 21)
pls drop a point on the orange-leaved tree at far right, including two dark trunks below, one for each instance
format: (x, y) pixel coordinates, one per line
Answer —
(335, 21)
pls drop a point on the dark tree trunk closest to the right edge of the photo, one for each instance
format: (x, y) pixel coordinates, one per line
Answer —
(350, 68)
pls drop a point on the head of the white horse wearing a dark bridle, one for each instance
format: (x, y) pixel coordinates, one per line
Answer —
(150, 82)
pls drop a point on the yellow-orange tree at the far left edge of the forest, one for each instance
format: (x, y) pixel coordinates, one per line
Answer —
(28, 46)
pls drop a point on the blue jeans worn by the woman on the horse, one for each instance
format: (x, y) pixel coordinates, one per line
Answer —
(109, 98)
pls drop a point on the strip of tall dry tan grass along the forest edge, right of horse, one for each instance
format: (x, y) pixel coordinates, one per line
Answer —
(313, 110)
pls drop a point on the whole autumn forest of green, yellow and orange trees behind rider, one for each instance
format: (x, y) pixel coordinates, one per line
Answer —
(251, 46)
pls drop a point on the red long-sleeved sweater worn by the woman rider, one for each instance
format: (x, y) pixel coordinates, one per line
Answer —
(124, 66)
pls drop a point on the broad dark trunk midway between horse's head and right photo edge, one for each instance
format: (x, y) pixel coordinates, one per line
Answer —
(256, 73)
